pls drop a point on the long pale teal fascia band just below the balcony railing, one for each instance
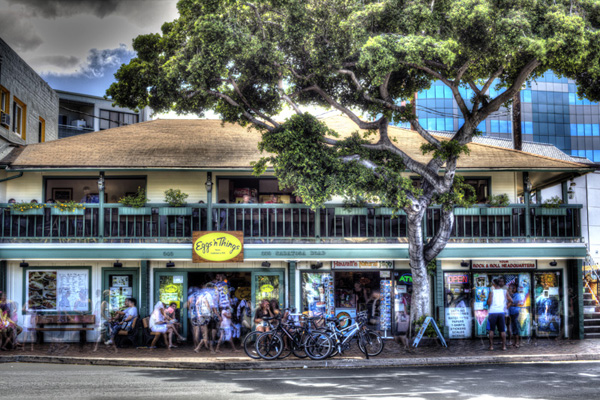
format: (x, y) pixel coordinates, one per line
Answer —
(351, 252)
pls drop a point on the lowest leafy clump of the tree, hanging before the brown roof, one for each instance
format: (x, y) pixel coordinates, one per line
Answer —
(302, 160)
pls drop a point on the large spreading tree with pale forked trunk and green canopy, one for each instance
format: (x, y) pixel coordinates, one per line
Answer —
(247, 60)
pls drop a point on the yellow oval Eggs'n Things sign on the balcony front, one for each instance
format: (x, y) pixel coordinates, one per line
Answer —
(218, 247)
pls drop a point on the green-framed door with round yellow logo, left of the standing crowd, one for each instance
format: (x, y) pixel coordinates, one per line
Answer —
(169, 287)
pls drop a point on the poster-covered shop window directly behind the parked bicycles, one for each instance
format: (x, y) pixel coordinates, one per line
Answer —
(317, 294)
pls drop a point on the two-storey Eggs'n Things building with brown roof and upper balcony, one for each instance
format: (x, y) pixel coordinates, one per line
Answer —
(334, 261)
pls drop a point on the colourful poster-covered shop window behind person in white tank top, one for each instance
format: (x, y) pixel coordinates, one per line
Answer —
(521, 300)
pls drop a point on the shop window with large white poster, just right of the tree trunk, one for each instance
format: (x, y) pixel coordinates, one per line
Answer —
(457, 289)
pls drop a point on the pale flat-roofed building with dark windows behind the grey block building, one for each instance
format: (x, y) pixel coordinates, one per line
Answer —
(83, 113)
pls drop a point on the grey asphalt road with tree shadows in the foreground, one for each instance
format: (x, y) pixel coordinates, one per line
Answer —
(510, 382)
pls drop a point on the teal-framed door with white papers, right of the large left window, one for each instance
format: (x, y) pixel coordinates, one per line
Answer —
(120, 284)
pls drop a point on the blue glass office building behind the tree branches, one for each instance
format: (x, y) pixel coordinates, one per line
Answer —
(551, 113)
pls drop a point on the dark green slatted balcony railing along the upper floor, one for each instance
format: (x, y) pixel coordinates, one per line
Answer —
(273, 223)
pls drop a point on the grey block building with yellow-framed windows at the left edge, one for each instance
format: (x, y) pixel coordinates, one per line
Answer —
(28, 105)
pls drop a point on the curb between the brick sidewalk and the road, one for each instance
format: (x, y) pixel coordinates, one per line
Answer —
(299, 364)
